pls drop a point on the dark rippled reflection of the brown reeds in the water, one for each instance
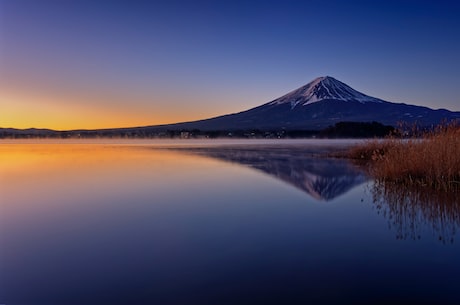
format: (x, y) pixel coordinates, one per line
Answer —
(411, 210)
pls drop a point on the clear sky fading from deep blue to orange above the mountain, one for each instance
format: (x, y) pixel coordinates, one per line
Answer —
(68, 64)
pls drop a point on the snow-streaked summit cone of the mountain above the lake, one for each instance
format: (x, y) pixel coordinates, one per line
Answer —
(323, 88)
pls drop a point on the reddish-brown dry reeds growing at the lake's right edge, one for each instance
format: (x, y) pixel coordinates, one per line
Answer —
(431, 160)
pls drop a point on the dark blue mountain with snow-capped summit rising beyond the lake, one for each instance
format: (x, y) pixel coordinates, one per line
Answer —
(317, 105)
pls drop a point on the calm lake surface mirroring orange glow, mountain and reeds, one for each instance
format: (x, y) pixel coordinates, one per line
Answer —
(216, 222)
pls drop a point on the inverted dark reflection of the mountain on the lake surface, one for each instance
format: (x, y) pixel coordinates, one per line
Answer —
(303, 167)
